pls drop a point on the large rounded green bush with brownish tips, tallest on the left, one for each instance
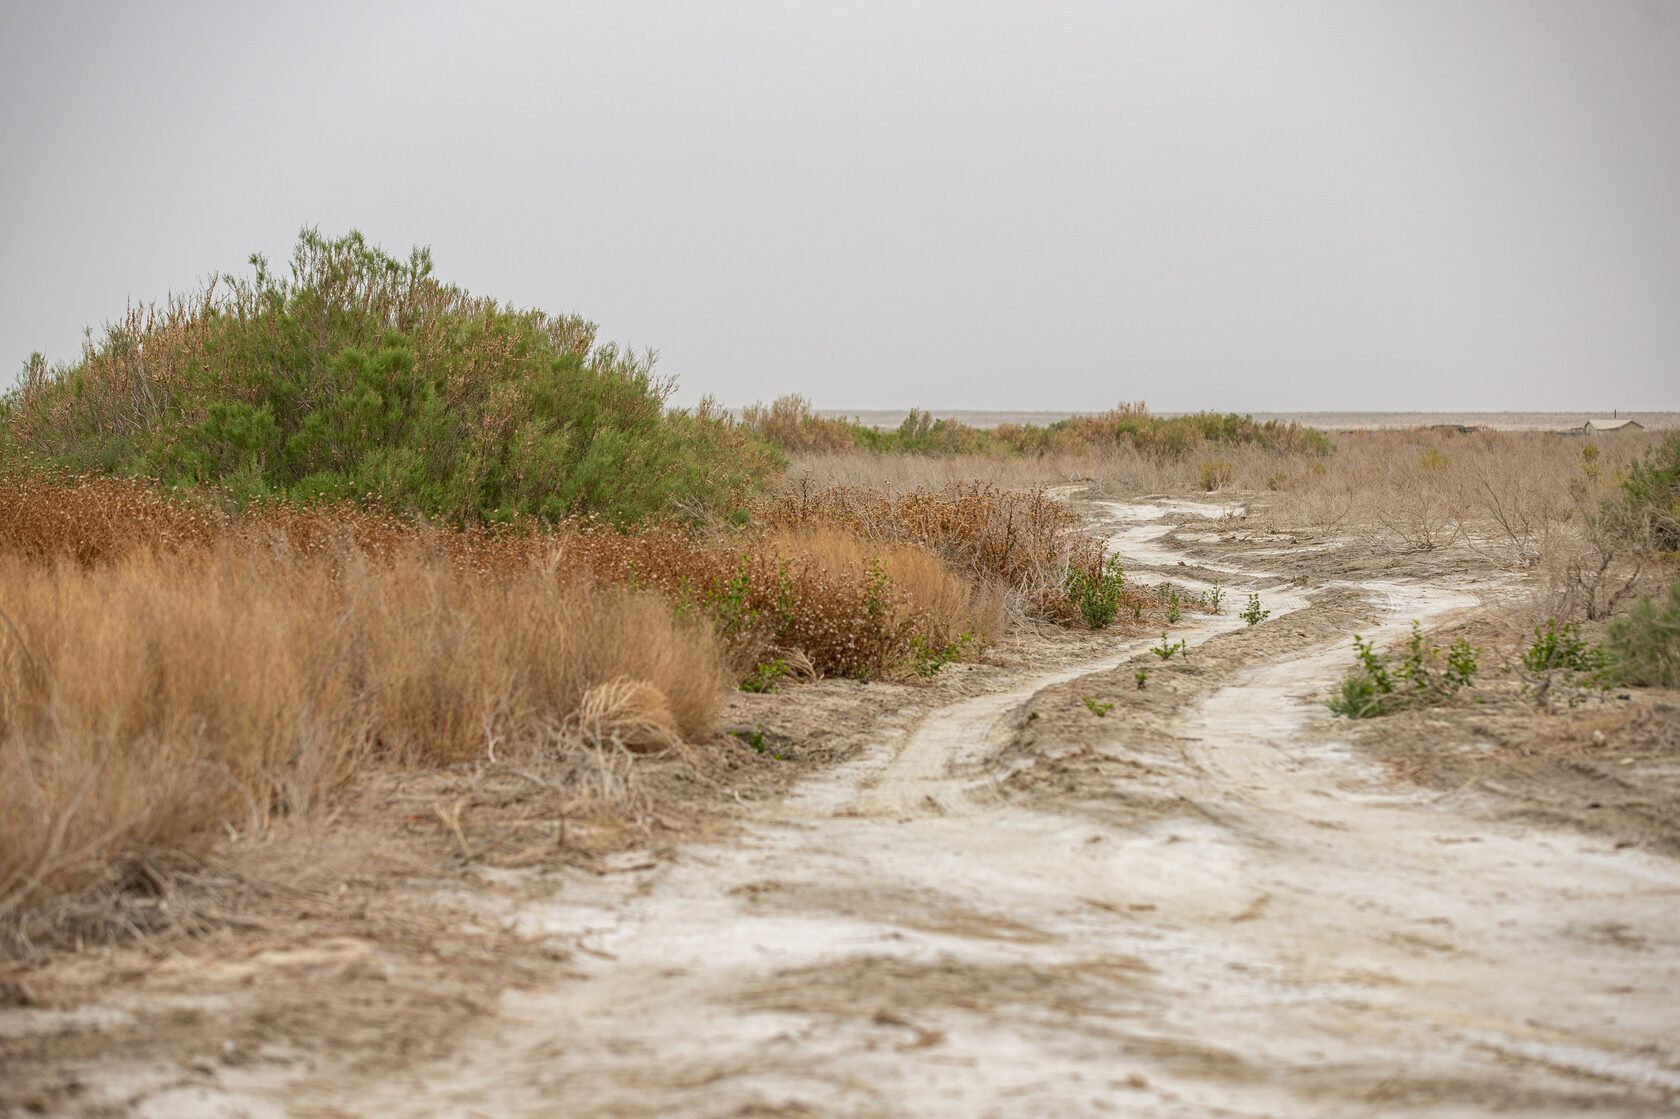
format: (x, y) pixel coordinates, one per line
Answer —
(364, 377)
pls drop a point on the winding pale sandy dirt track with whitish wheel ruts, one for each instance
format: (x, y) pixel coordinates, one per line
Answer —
(918, 933)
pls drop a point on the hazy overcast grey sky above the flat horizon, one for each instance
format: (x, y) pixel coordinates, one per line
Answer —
(1264, 206)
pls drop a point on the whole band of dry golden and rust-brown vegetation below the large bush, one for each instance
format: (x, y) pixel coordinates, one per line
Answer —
(171, 675)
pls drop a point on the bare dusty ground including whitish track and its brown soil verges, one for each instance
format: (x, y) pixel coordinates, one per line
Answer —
(1034, 890)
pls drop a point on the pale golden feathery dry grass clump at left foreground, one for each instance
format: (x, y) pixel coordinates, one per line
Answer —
(157, 701)
